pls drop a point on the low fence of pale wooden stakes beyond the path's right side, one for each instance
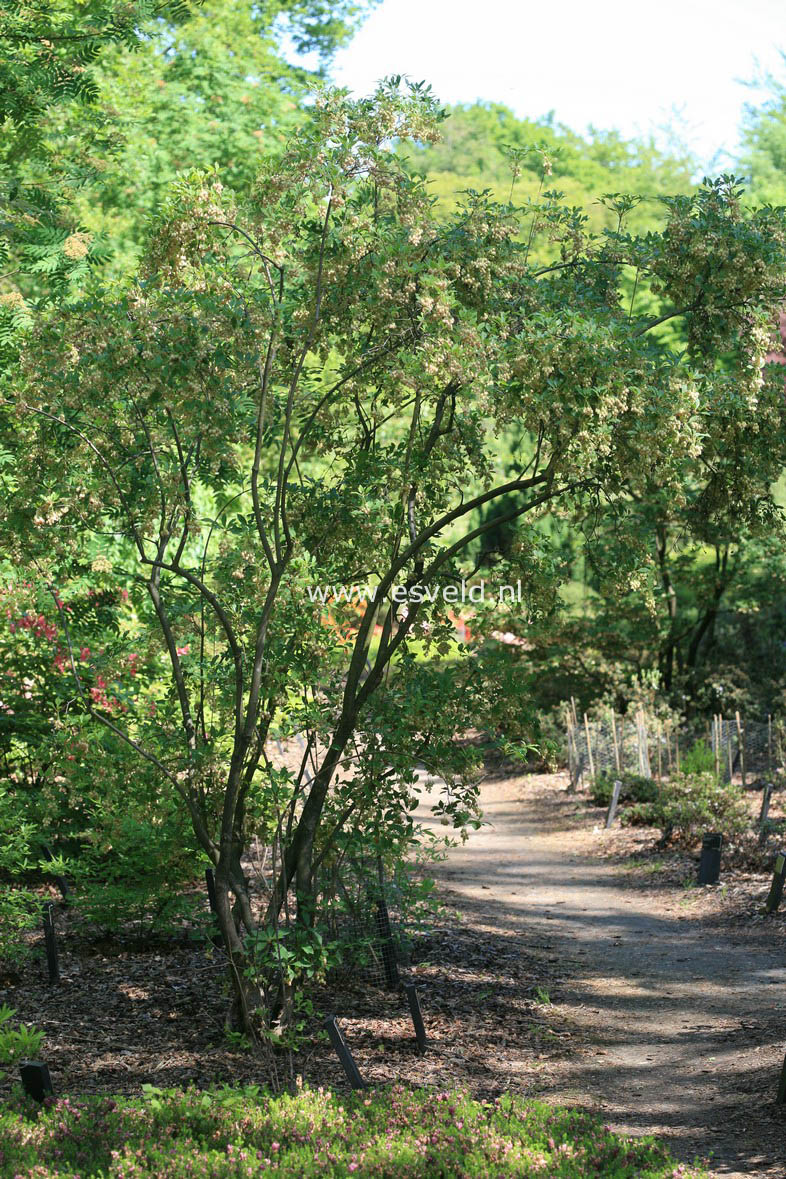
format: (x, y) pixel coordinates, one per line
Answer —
(736, 748)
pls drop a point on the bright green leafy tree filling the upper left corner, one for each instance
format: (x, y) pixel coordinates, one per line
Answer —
(103, 102)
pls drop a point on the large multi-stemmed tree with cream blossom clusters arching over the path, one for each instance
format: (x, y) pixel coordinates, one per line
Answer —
(307, 391)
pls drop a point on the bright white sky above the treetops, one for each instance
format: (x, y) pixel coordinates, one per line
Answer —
(676, 68)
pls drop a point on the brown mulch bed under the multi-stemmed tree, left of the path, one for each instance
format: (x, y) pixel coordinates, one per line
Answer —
(126, 1016)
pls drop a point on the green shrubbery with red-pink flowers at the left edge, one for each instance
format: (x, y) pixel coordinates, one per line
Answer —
(72, 786)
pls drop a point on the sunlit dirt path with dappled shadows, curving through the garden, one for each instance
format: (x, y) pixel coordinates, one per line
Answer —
(679, 1025)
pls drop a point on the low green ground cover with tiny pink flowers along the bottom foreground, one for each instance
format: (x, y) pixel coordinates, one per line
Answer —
(395, 1132)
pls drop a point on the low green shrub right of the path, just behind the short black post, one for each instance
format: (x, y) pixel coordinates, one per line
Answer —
(691, 805)
